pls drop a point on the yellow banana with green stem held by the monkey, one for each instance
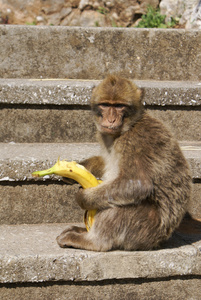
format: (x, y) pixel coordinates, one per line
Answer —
(80, 174)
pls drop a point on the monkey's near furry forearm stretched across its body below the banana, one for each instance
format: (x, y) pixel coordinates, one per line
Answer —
(121, 191)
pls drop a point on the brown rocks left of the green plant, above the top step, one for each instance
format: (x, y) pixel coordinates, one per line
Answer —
(73, 12)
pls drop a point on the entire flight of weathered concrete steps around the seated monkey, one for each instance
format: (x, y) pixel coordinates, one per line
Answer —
(57, 111)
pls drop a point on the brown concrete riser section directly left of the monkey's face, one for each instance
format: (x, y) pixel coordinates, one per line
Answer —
(46, 125)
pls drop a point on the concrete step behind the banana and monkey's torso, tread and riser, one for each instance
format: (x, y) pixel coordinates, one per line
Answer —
(25, 199)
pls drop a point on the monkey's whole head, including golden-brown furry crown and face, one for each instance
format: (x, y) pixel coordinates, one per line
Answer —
(116, 104)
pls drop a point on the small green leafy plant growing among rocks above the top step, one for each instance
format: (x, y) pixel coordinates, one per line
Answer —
(152, 19)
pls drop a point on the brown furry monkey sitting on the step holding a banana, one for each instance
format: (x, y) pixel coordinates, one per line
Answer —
(146, 179)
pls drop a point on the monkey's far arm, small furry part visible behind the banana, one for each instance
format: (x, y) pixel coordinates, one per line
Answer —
(95, 165)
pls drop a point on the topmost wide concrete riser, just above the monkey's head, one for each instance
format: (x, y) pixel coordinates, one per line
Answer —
(73, 52)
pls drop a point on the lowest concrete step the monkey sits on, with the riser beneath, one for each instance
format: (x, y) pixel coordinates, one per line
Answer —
(33, 266)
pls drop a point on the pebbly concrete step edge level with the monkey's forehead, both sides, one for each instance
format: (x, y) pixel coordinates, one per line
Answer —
(78, 92)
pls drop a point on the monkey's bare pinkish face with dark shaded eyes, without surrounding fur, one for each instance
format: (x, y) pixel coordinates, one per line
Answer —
(110, 117)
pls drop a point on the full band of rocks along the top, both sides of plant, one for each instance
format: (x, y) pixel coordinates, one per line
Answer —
(96, 12)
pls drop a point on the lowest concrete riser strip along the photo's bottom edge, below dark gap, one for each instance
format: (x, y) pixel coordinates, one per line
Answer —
(127, 289)
